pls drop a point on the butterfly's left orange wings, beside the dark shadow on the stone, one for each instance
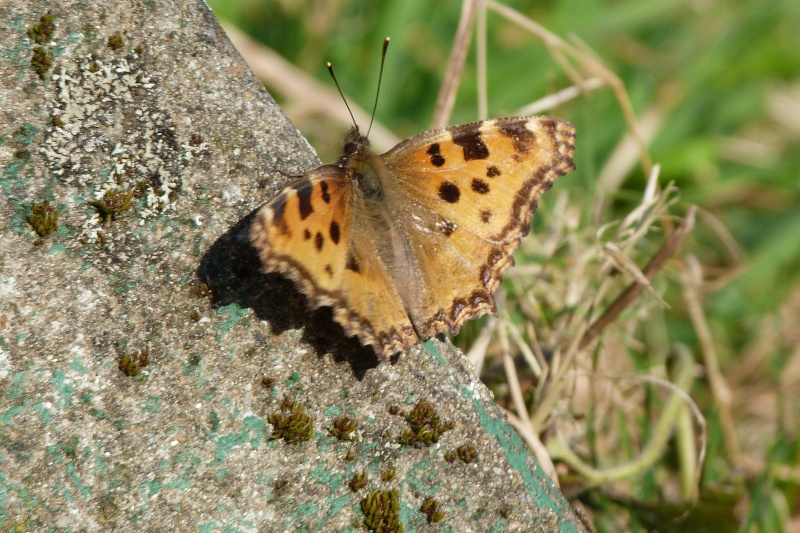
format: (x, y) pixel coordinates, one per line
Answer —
(312, 233)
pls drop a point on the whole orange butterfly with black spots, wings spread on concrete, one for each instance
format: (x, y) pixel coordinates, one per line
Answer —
(413, 242)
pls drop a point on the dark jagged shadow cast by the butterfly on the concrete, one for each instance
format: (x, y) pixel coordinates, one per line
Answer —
(231, 270)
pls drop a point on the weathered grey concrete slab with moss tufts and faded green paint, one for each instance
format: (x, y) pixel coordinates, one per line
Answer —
(146, 103)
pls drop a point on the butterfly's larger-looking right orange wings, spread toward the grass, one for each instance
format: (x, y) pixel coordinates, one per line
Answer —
(462, 198)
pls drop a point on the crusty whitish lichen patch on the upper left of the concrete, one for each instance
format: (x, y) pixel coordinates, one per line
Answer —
(109, 134)
